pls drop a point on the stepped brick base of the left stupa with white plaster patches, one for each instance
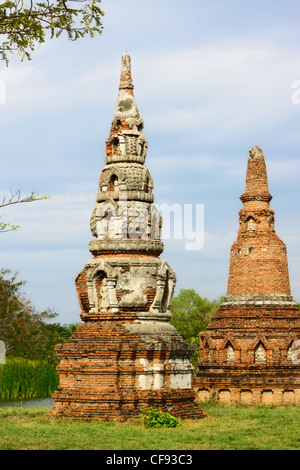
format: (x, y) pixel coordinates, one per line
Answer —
(108, 371)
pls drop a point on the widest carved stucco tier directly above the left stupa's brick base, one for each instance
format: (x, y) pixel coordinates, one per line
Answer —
(144, 285)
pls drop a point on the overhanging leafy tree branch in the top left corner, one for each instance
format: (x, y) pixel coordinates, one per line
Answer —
(25, 23)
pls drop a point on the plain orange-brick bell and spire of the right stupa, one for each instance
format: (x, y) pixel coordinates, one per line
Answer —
(258, 259)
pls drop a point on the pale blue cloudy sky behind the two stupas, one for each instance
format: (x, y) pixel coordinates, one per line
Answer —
(212, 79)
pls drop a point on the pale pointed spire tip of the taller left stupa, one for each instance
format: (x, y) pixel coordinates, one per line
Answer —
(126, 106)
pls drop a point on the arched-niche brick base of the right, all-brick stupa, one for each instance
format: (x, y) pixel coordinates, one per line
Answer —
(246, 355)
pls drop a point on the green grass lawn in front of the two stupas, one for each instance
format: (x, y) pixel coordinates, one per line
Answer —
(225, 428)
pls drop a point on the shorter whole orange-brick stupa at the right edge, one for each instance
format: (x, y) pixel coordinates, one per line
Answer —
(247, 353)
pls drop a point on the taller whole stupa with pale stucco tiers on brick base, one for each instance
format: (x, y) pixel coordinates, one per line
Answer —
(125, 355)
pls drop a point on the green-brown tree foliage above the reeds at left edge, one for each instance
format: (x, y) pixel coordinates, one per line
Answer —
(25, 331)
